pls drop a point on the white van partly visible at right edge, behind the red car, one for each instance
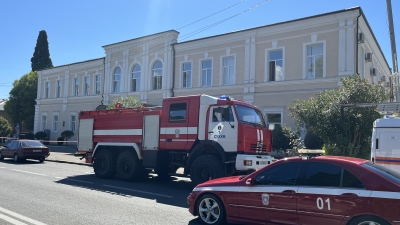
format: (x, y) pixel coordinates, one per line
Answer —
(385, 149)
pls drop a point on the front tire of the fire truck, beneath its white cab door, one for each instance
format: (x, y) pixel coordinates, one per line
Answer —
(204, 168)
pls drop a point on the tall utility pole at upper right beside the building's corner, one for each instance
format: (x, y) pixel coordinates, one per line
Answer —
(395, 75)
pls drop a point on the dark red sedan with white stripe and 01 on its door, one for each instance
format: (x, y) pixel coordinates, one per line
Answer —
(324, 190)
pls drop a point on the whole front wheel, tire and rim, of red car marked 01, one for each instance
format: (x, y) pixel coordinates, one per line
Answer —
(211, 210)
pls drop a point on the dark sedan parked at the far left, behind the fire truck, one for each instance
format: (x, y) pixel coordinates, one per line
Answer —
(25, 149)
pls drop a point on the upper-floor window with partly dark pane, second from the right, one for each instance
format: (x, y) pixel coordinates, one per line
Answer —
(275, 65)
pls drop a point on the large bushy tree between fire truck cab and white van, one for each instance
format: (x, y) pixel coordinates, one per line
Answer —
(321, 115)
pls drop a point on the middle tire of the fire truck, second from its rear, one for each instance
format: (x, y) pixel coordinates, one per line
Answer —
(129, 167)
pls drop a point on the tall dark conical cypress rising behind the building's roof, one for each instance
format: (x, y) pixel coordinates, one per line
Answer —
(41, 56)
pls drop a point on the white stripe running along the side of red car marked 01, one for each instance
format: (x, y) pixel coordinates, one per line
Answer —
(303, 190)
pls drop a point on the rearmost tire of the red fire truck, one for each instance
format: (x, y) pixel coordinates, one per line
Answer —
(104, 164)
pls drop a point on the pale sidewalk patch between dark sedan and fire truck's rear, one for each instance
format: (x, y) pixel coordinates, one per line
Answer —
(64, 154)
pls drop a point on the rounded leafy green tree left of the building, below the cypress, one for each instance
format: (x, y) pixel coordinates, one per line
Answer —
(21, 103)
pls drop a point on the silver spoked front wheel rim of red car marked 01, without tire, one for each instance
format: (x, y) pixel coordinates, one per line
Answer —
(209, 211)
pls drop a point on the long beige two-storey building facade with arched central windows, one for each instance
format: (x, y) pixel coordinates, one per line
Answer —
(267, 66)
